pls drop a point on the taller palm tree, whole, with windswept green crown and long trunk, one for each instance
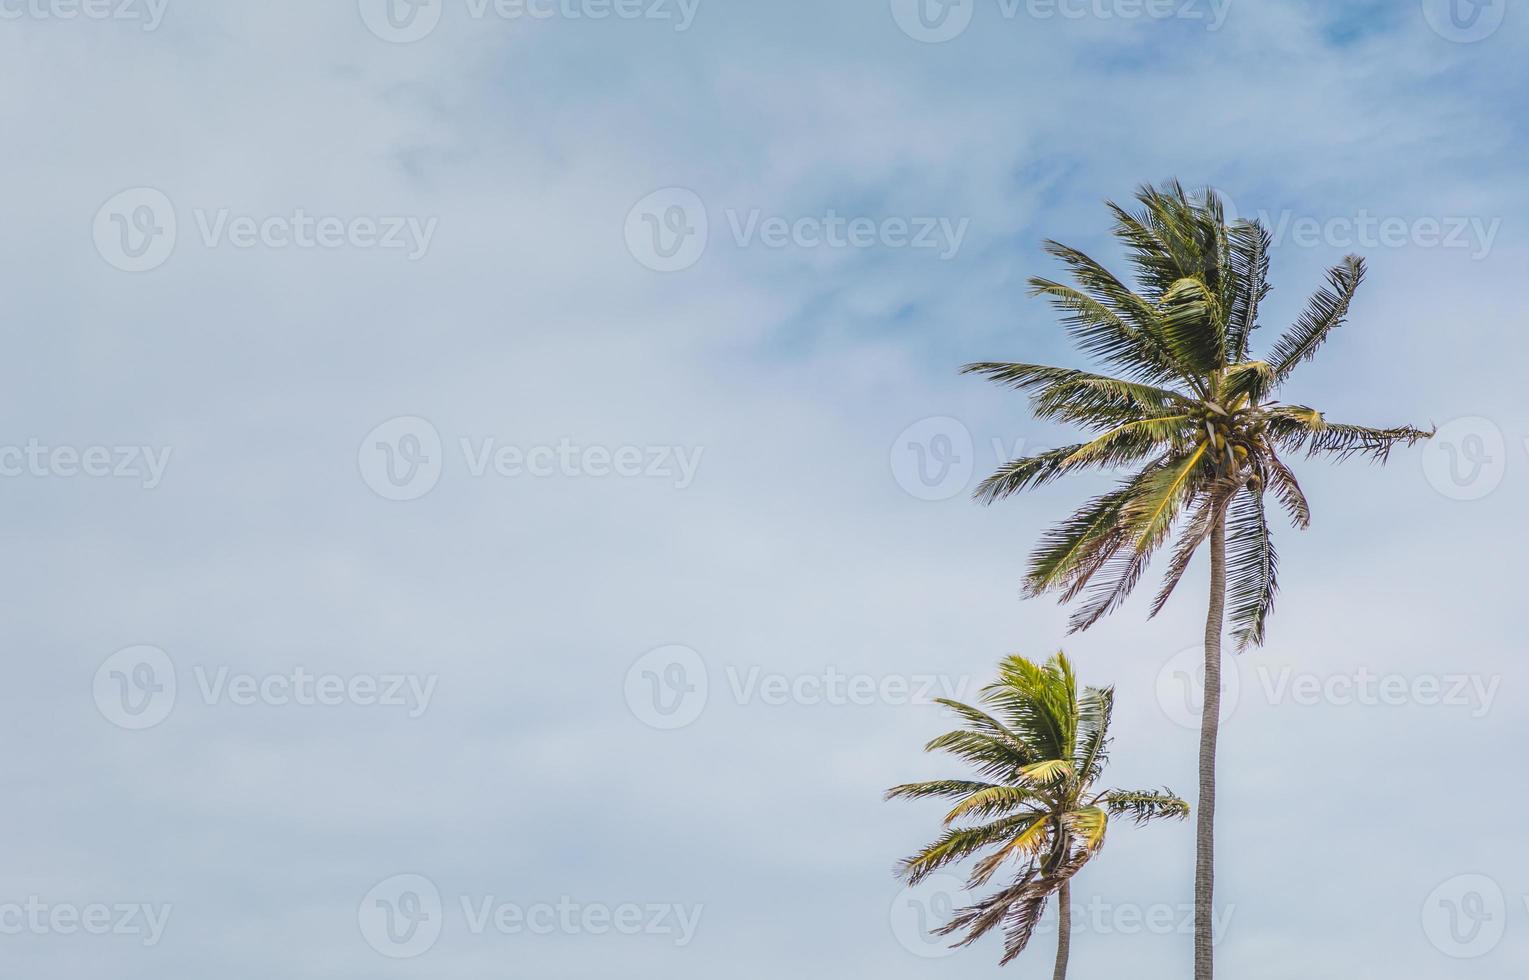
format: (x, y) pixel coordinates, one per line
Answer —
(1195, 415)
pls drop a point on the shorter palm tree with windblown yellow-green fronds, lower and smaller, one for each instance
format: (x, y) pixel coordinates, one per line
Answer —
(1040, 753)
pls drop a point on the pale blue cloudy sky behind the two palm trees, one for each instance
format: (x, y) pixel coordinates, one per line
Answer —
(366, 342)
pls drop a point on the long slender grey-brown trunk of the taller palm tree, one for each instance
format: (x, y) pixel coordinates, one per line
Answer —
(1210, 722)
